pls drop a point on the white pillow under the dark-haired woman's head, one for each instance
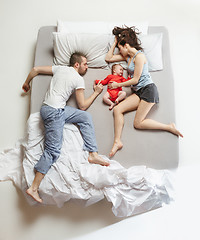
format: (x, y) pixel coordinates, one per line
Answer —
(152, 46)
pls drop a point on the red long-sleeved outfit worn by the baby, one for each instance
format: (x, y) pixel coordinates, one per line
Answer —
(113, 78)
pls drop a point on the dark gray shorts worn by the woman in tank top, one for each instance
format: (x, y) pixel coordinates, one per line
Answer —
(149, 93)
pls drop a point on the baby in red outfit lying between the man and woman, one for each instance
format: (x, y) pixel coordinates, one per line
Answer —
(114, 96)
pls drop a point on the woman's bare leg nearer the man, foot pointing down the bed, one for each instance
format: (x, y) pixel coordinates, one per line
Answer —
(129, 104)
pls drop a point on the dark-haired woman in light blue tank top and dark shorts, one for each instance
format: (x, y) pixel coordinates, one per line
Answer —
(145, 93)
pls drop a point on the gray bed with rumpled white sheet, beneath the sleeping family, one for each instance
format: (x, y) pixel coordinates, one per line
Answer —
(140, 176)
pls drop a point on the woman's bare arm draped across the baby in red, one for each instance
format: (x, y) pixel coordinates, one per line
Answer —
(139, 63)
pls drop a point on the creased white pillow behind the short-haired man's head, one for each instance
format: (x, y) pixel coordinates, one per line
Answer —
(94, 46)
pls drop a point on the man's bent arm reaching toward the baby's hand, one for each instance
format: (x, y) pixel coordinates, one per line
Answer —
(83, 103)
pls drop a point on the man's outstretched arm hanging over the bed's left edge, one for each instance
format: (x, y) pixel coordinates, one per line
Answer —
(34, 72)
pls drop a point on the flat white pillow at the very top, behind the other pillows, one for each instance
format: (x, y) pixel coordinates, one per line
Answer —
(98, 27)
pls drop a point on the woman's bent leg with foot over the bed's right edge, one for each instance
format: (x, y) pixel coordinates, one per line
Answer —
(140, 121)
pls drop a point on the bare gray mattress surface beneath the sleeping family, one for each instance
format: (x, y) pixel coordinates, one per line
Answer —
(155, 149)
